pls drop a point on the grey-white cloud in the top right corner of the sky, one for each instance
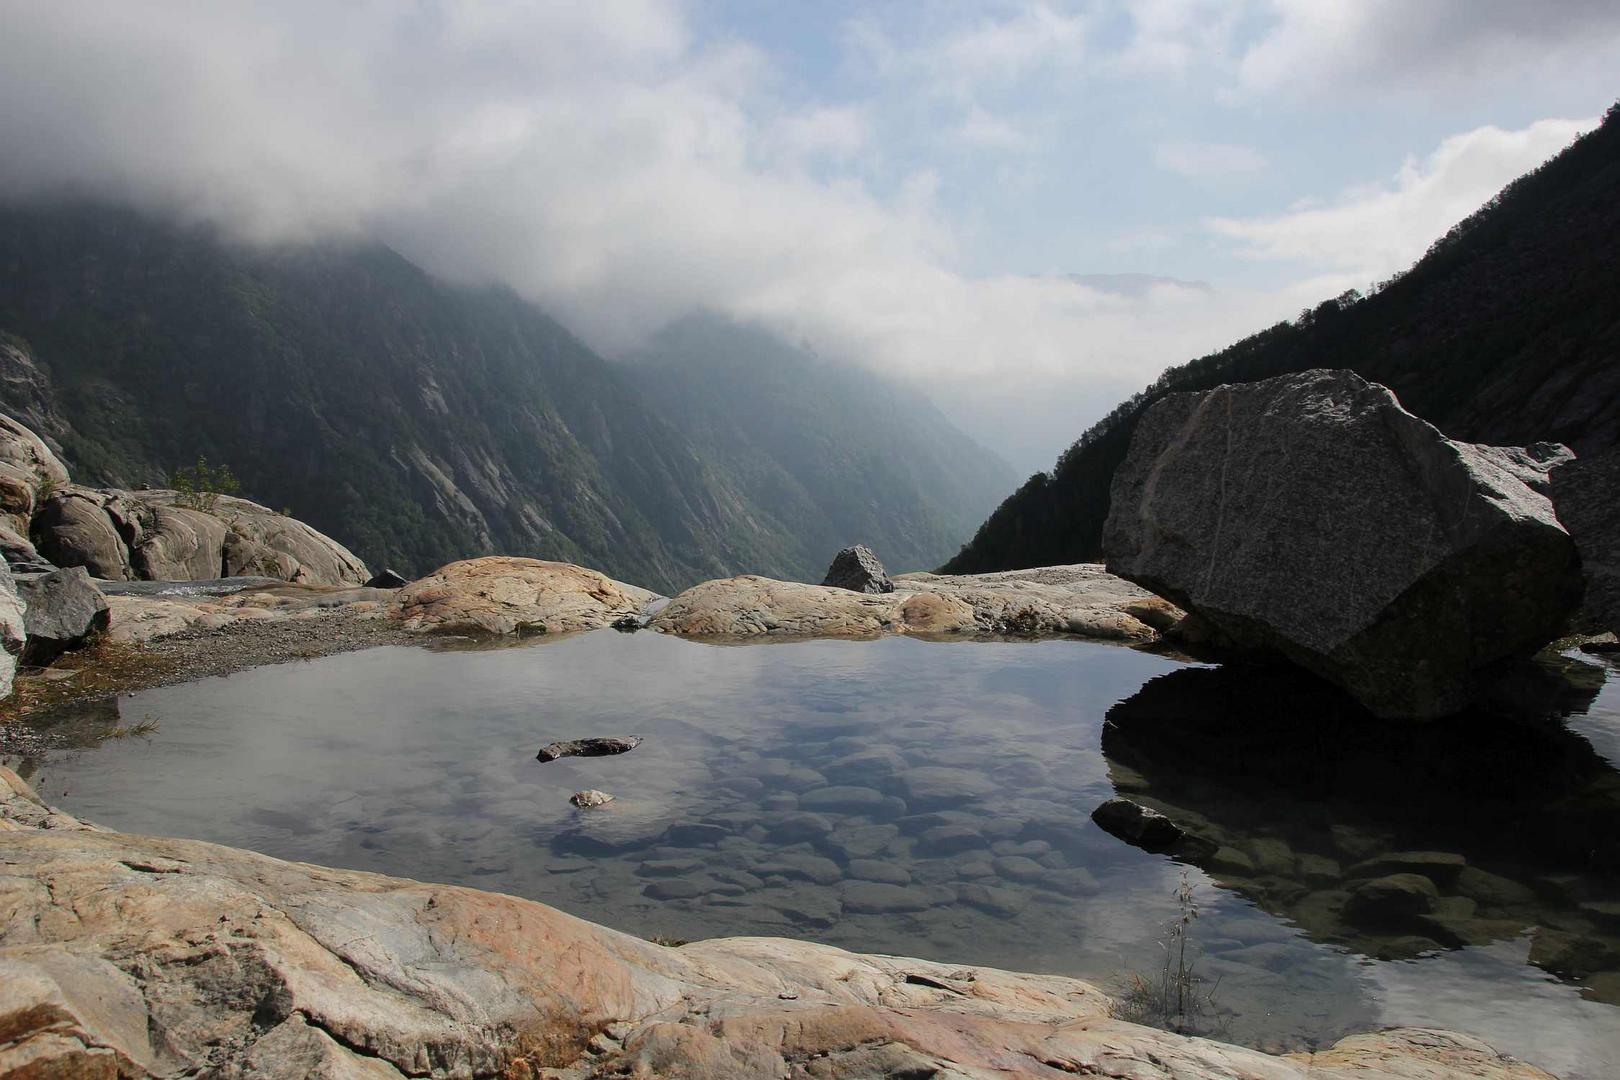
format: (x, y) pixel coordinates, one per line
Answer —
(1383, 46)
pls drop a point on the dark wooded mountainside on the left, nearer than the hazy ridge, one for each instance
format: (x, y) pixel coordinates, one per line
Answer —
(412, 420)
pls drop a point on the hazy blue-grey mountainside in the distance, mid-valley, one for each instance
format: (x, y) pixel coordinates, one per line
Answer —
(835, 454)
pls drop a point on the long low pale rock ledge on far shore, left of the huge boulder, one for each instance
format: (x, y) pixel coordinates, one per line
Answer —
(1049, 602)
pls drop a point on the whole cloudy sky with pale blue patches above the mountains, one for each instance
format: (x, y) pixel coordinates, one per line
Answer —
(910, 187)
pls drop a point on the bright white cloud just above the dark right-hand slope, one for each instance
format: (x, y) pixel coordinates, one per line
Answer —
(1375, 231)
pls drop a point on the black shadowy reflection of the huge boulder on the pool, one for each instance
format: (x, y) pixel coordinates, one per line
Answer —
(1391, 840)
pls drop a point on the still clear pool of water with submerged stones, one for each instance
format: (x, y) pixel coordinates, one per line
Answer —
(934, 799)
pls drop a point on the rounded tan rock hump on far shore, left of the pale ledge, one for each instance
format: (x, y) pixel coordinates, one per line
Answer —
(500, 595)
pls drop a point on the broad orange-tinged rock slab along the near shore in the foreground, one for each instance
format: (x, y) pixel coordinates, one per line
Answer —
(139, 956)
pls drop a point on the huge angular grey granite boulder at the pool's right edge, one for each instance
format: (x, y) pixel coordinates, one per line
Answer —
(1311, 517)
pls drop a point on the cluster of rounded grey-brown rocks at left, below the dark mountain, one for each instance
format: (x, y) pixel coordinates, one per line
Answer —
(150, 537)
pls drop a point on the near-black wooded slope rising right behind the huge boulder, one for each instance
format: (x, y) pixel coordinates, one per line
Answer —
(1506, 333)
